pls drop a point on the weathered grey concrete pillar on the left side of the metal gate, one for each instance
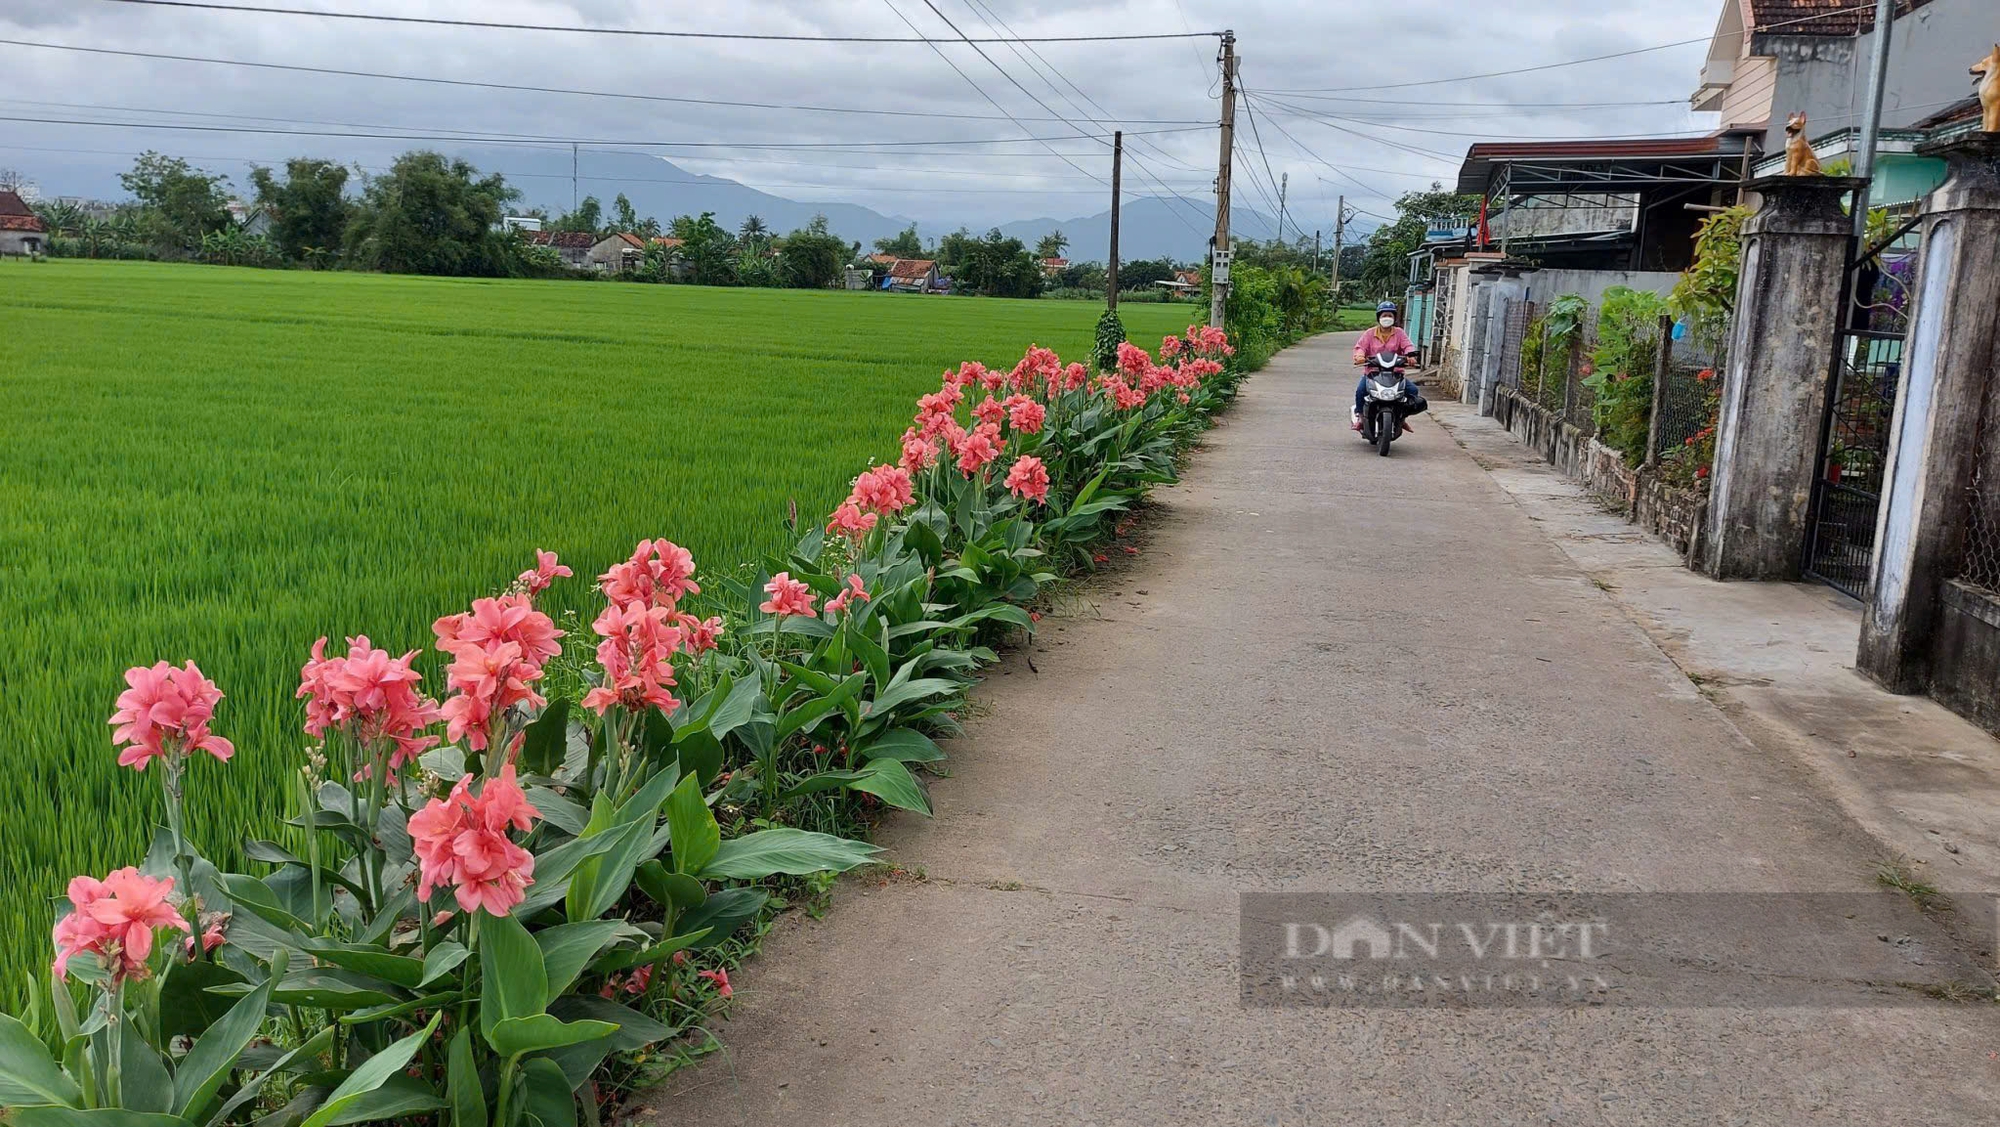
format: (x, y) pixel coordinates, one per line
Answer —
(1775, 391)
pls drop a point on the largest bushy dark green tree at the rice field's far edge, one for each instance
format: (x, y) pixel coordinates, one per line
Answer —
(433, 215)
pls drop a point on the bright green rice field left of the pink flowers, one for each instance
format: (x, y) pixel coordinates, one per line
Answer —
(225, 465)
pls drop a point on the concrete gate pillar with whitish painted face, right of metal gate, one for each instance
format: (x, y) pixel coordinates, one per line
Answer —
(1951, 373)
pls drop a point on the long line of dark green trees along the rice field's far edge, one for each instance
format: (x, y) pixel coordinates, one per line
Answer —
(437, 215)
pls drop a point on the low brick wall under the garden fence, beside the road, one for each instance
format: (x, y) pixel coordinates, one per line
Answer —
(1663, 511)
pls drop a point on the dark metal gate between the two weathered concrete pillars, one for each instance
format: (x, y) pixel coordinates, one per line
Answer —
(1861, 403)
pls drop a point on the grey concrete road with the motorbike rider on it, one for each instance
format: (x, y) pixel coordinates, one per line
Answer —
(1325, 672)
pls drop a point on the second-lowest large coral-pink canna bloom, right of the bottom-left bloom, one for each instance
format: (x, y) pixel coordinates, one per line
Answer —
(461, 842)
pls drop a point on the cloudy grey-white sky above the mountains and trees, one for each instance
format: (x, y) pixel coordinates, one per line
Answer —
(1327, 85)
